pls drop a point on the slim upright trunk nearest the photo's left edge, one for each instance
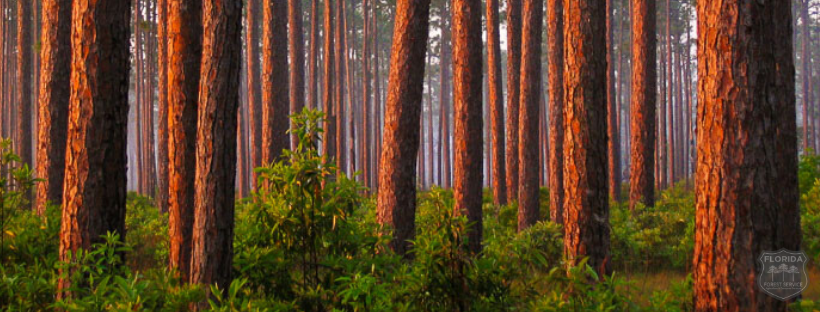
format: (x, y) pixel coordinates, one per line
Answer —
(24, 72)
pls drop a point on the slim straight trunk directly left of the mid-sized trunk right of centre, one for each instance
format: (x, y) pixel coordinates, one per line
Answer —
(513, 89)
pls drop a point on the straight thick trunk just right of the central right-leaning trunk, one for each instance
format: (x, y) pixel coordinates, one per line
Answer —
(467, 101)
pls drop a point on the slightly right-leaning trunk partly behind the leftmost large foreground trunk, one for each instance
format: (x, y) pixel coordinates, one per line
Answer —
(55, 71)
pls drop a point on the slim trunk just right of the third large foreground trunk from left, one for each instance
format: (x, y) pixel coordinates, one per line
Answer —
(255, 98)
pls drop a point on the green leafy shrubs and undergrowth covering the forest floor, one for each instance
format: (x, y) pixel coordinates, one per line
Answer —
(308, 241)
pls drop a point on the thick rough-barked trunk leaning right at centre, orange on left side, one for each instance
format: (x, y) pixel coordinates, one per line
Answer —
(397, 187)
